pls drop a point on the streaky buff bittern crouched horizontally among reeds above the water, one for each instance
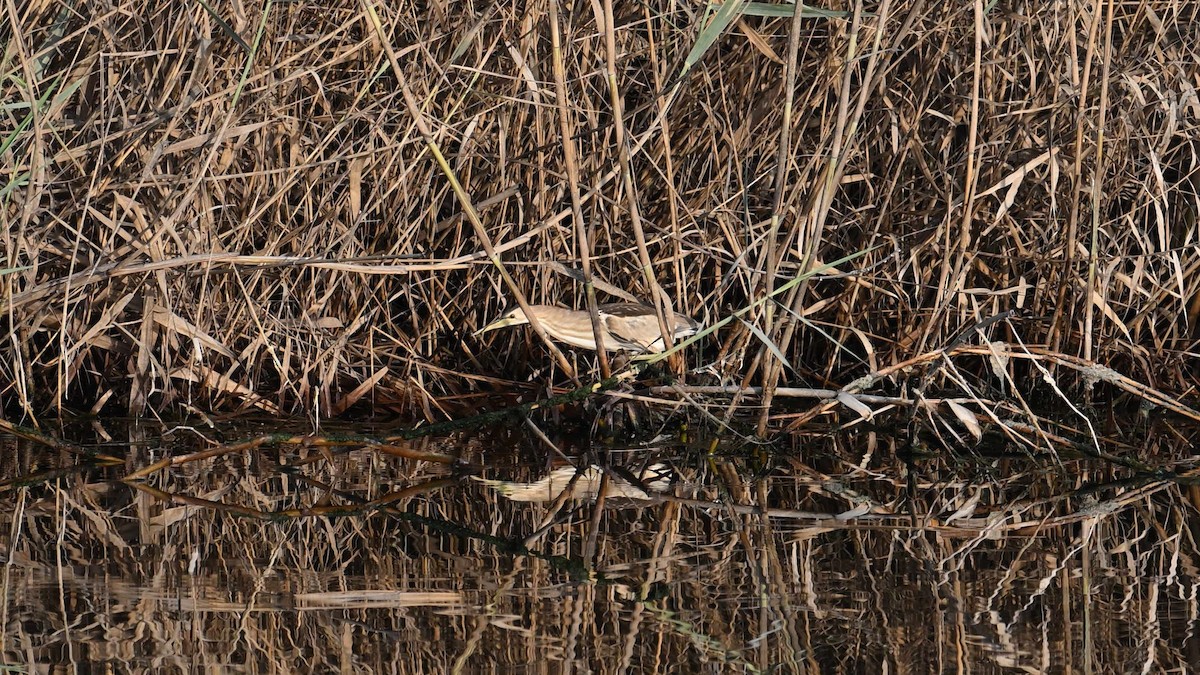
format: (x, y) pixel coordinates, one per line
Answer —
(628, 327)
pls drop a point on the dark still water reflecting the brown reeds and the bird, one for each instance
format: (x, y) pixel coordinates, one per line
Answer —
(491, 553)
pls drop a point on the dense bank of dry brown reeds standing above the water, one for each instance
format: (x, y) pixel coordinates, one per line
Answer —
(291, 207)
